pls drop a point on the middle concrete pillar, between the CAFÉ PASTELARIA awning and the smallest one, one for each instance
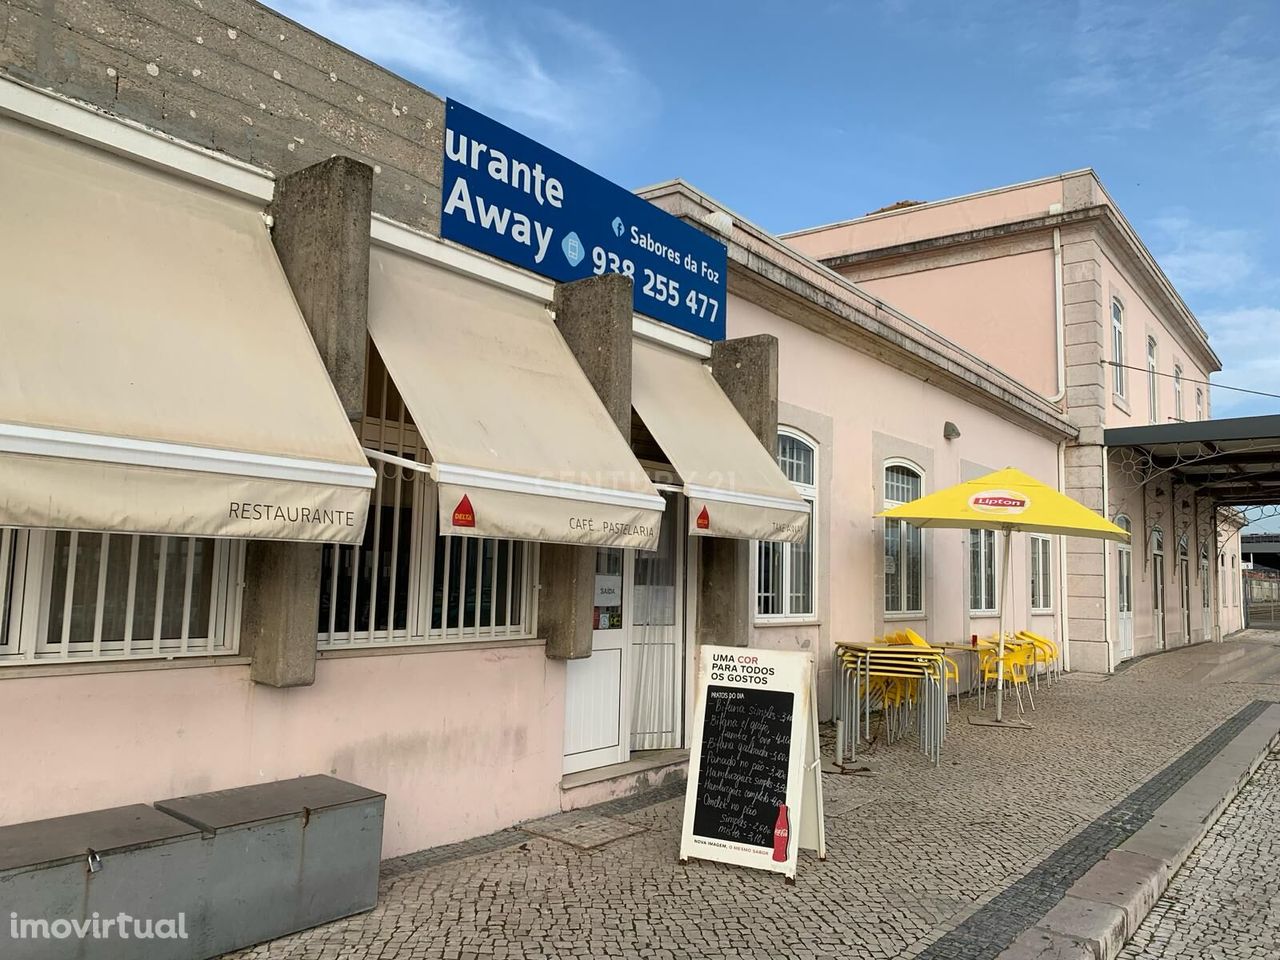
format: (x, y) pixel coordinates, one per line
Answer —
(595, 317)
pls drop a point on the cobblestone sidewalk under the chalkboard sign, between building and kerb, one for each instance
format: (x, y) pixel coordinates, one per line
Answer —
(943, 862)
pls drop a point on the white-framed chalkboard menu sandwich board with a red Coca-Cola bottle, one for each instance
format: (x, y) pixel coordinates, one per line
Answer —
(755, 794)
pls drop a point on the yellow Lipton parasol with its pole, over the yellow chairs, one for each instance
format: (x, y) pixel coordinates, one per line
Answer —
(1008, 500)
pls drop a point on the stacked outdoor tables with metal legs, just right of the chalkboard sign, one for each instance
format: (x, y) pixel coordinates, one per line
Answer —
(858, 662)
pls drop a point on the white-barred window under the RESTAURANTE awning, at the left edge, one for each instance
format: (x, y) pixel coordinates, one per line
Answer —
(77, 596)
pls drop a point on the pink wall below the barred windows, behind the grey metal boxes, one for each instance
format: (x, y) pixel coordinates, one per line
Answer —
(461, 742)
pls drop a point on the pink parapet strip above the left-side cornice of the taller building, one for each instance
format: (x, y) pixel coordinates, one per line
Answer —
(932, 221)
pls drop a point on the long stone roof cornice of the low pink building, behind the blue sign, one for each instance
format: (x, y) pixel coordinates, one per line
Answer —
(769, 272)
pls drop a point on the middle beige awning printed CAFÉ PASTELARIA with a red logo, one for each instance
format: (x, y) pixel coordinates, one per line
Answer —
(522, 446)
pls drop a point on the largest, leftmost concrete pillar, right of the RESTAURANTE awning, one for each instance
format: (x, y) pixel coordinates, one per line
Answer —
(321, 232)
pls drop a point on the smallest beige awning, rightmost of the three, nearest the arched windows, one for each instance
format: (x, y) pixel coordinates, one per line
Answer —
(734, 486)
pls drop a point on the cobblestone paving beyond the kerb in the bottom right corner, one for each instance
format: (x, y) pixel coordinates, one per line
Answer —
(1226, 902)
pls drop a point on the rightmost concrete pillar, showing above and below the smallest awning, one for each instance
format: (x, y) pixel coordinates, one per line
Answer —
(747, 369)
